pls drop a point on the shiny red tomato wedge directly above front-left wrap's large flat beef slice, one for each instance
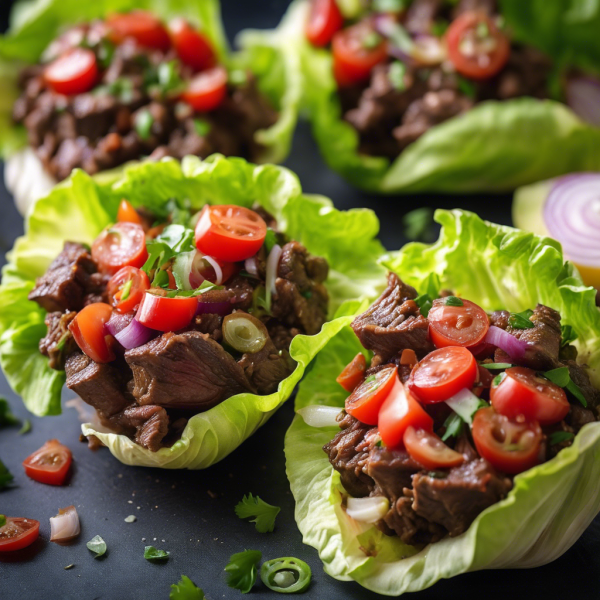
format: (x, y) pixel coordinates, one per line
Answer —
(166, 314)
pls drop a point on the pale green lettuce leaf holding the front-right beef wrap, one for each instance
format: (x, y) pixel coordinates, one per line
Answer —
(549, 506)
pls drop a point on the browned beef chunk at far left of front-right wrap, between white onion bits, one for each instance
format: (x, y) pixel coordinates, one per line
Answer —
(348, 453)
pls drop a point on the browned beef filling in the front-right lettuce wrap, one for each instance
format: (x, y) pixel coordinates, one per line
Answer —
(426, 504)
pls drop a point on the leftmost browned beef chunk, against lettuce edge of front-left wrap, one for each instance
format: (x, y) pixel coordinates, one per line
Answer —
(64, 285)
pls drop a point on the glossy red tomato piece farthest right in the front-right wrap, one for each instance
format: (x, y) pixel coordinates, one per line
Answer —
(523, 392)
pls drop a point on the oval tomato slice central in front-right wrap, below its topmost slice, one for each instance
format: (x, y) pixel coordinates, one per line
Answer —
(443, 373)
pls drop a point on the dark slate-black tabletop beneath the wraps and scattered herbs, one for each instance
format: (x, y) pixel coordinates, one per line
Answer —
(191, 513)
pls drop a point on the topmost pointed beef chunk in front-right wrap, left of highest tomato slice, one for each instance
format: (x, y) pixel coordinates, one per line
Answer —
(393, 323)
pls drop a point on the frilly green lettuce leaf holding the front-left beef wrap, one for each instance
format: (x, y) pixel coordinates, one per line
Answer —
(78, 210)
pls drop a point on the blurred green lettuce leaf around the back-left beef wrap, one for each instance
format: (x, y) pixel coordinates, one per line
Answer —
(35, 24)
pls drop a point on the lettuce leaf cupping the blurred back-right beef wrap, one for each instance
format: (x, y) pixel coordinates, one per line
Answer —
(497, 145)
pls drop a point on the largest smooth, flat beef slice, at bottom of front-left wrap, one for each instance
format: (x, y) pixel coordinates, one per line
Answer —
(186, 370)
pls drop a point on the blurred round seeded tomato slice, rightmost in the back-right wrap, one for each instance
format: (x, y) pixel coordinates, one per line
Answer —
(476, 47)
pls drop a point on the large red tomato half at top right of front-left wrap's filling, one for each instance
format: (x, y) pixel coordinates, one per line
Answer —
(230, 233)
